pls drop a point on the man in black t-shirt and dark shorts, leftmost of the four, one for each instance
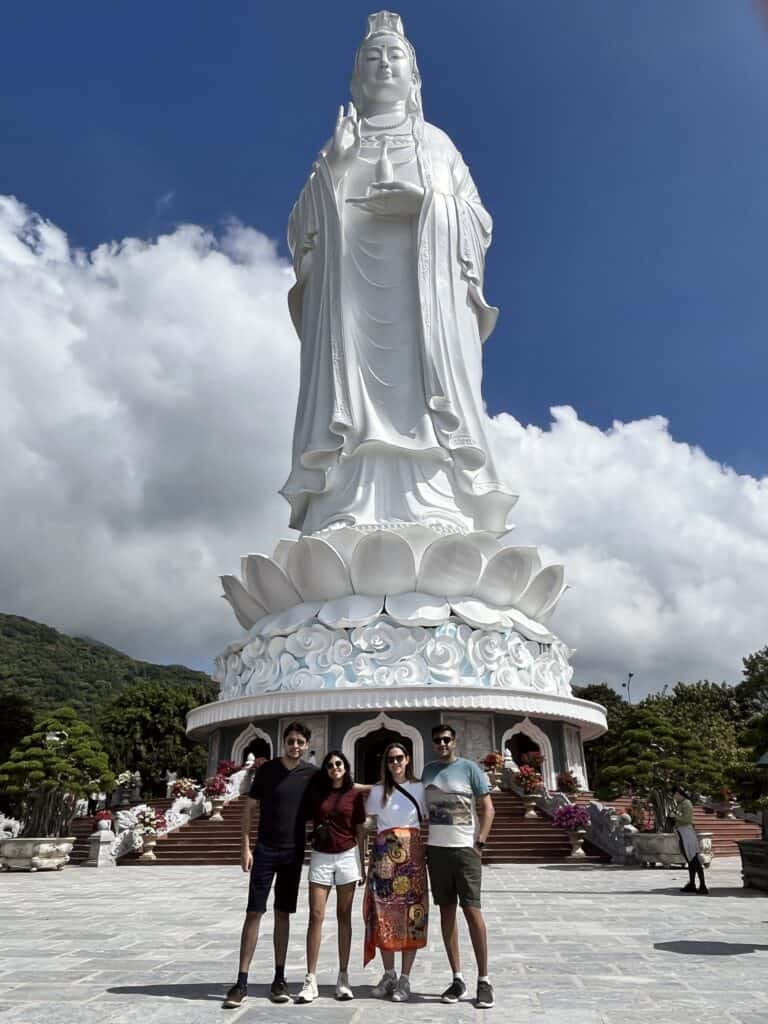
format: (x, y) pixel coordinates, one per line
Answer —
(280, 787)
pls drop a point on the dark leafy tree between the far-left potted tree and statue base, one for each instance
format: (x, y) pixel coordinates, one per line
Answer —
(145, 730)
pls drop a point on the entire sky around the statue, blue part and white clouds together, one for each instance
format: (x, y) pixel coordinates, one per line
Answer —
(147, 396)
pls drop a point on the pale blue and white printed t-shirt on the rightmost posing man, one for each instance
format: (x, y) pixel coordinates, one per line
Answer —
(451, 791)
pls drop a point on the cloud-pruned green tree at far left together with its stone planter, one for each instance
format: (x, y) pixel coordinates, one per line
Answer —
(50, 772)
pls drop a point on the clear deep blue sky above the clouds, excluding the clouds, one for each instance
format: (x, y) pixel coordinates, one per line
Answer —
(621, 147)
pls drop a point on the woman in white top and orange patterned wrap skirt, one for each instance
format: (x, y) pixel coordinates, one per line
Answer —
(396, 904)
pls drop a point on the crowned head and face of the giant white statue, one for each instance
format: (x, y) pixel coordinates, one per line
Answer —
(386, 69)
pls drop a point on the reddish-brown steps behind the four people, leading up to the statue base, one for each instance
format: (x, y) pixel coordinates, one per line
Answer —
(514, 839)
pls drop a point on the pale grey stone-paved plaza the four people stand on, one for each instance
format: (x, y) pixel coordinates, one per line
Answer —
(573, 945)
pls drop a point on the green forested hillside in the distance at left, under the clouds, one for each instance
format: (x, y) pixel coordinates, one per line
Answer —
(53, 669)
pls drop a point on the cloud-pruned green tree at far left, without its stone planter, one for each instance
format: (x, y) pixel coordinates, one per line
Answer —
(59, 762)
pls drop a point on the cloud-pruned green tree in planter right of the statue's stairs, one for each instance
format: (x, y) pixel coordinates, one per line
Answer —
(651, 756)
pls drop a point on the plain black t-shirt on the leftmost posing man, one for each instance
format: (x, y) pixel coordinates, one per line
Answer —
(281, 794)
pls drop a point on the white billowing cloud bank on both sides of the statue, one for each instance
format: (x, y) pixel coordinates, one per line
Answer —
(147, 401)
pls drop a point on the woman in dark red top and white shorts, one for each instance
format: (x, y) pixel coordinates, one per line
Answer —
(337, 810)
